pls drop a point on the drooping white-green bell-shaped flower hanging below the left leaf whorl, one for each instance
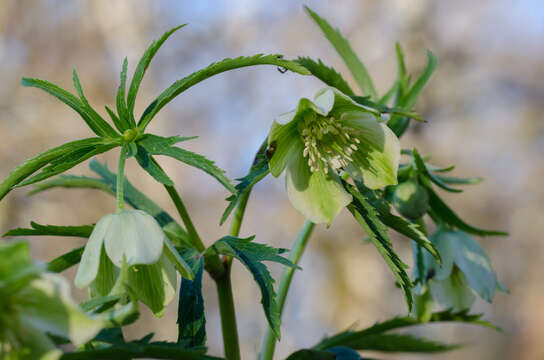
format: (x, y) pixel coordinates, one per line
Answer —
(133, 239)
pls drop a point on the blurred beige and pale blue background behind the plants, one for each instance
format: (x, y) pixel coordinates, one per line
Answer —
(484, 108)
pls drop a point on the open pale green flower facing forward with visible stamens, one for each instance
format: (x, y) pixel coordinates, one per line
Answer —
(322, 137)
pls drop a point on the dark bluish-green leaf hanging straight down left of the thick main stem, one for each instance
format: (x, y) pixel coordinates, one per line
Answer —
(191, 318)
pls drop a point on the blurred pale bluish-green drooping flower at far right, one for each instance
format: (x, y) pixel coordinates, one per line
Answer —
(466, 270)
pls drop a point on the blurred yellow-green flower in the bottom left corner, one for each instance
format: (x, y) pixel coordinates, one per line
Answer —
(33, 303)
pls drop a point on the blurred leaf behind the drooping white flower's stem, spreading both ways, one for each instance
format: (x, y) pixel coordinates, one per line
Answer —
(108, 183)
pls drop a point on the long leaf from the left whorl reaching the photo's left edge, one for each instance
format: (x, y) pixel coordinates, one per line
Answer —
(32, 165)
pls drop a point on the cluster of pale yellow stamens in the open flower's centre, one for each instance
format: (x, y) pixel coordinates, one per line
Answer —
(328, 142)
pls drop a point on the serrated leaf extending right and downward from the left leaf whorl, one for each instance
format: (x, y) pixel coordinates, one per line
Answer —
(156, 145)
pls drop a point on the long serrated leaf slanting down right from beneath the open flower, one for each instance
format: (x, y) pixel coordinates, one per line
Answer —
(368, 218)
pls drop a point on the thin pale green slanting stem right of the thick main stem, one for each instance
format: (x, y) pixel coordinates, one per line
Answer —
(269, 345)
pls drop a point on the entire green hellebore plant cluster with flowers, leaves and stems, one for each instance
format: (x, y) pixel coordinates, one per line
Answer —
(339, 150)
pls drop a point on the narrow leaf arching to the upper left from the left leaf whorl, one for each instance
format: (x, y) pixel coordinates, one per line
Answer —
(96, 124)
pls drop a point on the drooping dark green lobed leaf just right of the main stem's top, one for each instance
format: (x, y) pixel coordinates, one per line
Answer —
(252, 255)
